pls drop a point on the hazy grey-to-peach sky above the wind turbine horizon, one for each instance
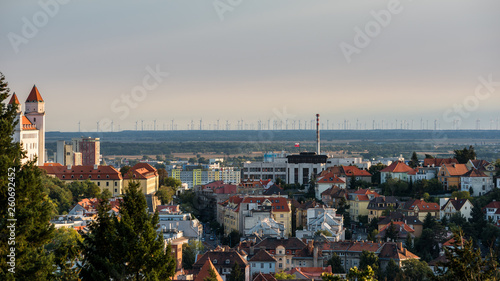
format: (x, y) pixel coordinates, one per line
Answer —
(254, 60)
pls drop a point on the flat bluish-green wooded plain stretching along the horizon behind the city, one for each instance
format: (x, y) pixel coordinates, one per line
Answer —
(367, 144)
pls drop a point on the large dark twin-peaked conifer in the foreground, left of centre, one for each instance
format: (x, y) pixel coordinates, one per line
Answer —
(136, 250)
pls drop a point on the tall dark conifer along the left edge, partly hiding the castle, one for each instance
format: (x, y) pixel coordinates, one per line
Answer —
(31, 207)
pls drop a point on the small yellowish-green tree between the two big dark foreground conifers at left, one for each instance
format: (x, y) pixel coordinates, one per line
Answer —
(67, 252)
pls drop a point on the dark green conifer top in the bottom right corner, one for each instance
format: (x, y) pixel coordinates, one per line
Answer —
(465, 263)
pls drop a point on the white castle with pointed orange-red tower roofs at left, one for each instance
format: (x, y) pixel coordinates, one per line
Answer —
(30, 130)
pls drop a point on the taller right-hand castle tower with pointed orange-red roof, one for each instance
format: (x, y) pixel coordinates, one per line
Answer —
(35, 112)
